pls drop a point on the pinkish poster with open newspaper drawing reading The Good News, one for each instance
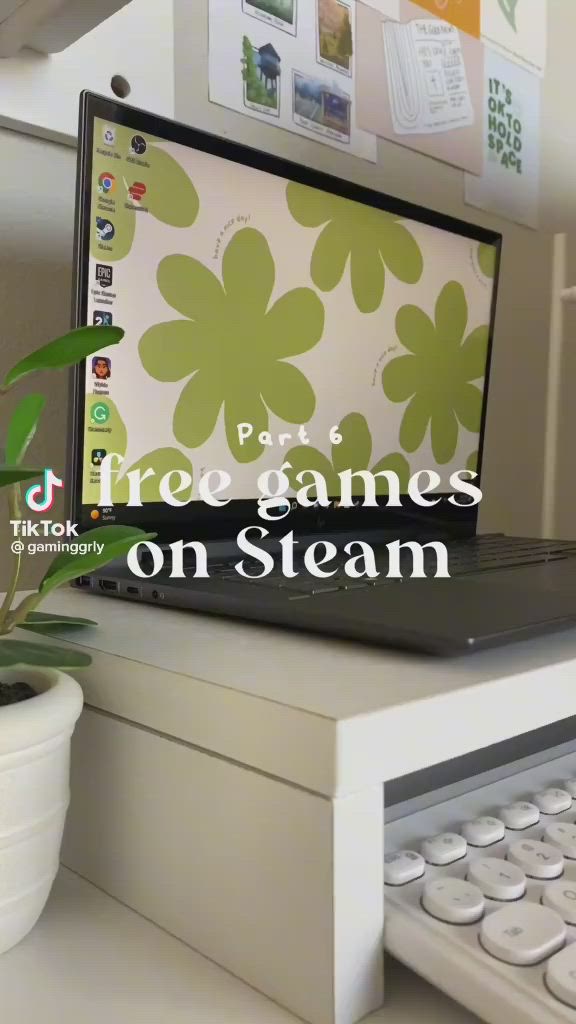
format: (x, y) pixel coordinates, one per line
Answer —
(421, 83)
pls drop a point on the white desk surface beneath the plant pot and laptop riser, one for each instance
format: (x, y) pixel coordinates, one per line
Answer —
(91, 960)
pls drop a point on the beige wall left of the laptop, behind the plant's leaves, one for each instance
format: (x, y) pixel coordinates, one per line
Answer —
(36, 232)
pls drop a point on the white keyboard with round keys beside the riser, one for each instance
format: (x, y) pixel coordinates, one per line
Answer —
(481, 897)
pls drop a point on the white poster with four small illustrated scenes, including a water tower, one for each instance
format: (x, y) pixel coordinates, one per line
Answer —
(292, 64)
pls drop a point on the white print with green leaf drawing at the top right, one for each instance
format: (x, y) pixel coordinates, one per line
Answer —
(518, 30)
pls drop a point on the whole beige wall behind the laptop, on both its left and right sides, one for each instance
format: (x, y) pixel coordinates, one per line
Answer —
(36, 229)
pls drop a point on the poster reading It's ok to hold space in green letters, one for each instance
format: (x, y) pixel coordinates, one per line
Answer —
(510, 186)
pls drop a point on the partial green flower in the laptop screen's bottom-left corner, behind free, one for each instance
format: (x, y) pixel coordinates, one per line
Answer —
(162, 461)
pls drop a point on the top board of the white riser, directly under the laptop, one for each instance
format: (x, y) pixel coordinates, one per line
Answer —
(327, 715)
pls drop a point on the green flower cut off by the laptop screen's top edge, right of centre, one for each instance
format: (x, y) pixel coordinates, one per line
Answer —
(373, 239)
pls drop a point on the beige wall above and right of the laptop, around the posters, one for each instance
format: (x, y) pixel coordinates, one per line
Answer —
(515, 443)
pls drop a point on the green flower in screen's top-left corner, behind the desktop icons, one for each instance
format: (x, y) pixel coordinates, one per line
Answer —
(170, 195)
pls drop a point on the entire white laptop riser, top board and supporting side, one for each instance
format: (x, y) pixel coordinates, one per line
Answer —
(229, 779)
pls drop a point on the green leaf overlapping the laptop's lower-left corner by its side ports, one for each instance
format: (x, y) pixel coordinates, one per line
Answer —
(117, 542)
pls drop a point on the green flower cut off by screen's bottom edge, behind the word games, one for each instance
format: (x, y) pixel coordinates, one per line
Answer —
(354, 453)
